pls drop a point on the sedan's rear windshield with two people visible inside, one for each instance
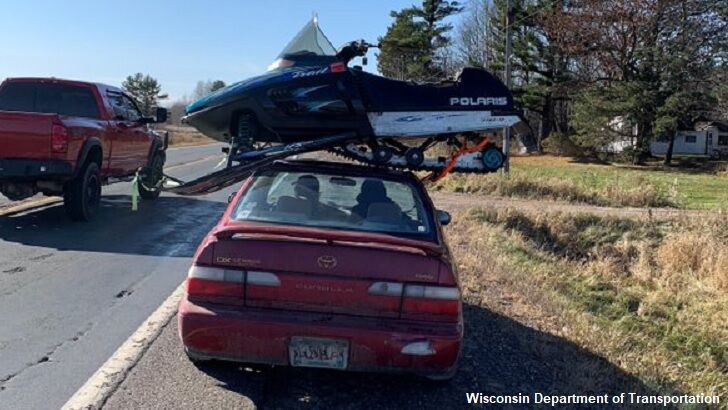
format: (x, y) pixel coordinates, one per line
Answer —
(337, 202)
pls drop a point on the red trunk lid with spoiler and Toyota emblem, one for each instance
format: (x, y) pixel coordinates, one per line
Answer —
(342, 276)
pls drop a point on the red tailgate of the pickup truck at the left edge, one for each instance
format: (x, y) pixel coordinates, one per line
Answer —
(25, 135)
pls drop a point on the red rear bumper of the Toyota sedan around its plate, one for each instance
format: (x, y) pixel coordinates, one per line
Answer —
(262, 336)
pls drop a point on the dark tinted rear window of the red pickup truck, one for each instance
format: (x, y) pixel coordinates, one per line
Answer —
(48, 98)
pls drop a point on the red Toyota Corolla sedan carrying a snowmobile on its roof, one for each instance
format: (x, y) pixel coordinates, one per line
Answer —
(326, 265)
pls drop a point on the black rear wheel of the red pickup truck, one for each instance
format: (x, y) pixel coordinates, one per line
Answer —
(82, 195)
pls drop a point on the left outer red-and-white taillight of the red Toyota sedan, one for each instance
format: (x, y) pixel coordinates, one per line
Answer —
(209, 281)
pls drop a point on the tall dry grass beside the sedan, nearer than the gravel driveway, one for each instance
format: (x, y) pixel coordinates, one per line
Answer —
(650, 296)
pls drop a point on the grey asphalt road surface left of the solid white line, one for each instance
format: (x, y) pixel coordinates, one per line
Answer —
(71, 293)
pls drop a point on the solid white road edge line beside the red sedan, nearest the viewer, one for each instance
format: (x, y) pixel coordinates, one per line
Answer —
(104, 382)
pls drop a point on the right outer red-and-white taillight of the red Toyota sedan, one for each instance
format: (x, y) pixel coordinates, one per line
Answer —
(425, 302)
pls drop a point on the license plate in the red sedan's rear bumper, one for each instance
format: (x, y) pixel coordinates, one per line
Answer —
(317, 352)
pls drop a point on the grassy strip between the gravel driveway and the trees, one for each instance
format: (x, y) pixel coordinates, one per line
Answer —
(561, 178)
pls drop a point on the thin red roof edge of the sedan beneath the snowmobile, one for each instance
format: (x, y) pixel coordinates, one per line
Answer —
(310, 165)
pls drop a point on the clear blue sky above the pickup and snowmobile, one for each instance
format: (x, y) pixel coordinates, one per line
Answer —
(178, 42)
